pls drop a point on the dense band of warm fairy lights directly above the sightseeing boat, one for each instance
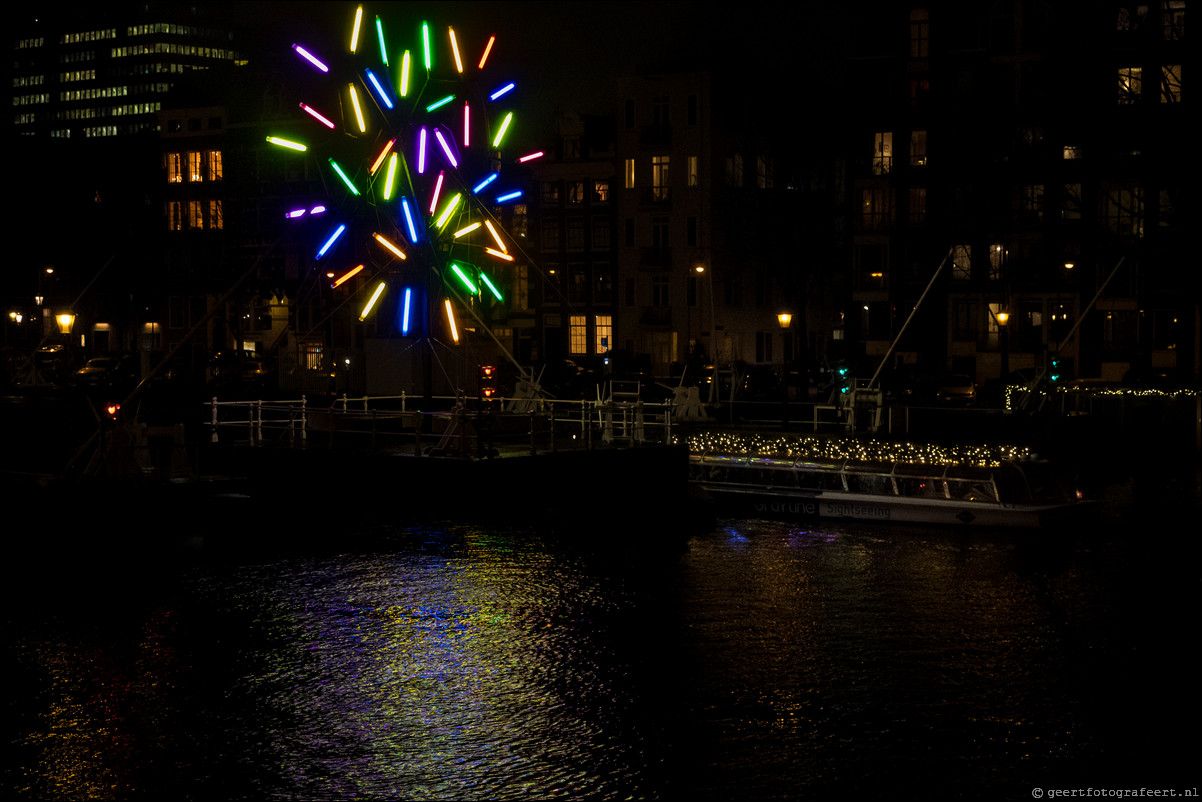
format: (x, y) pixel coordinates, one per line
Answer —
(800, 447)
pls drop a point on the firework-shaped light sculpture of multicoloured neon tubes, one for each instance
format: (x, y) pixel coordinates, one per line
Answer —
(409, 130)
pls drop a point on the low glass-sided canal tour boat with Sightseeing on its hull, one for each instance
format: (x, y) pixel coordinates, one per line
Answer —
(1021, 494)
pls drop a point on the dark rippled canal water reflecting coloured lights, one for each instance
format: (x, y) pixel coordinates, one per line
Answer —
(742, 661)
